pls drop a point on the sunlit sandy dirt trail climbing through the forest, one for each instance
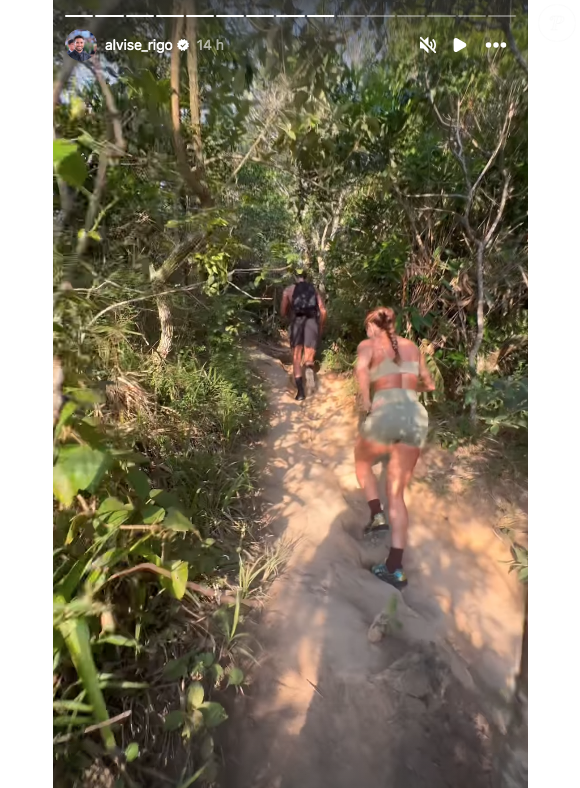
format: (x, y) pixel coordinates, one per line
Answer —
(328, 707)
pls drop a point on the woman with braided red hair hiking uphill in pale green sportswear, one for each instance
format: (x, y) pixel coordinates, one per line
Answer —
(396, 425)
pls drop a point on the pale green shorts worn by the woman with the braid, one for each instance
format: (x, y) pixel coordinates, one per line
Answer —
(396, 416)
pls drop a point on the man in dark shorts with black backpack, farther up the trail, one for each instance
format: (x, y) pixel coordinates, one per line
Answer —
(308, 315)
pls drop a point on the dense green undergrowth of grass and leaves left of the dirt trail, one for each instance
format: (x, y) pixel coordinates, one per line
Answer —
(156, 522)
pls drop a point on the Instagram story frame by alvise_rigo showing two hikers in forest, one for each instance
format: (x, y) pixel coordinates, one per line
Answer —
(290, 393)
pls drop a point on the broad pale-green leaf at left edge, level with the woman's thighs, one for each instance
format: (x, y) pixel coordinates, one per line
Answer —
(78, 468)
